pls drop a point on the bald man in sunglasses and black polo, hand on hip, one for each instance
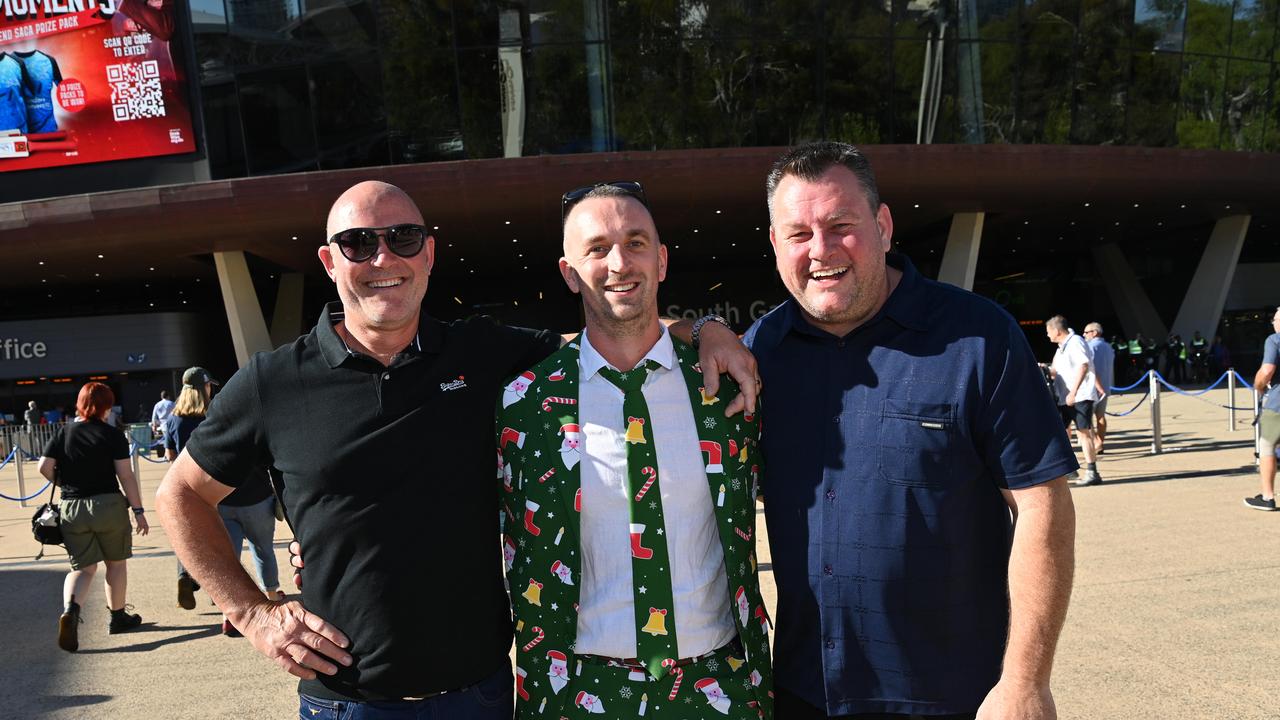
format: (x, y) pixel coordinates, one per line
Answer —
(381, 425)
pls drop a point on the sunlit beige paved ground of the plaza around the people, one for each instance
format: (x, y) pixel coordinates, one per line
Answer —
(1172, 617)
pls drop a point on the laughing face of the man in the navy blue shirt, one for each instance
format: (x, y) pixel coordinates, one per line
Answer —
(830, 247)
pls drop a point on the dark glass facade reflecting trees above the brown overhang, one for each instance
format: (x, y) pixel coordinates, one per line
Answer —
(305, 85)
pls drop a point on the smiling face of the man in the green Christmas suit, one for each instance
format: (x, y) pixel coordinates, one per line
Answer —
(615, 261)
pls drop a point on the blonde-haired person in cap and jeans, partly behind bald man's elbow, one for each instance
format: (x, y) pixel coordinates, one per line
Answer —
(248, 513)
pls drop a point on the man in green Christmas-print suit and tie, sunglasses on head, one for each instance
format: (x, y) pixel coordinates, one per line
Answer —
(630, 502)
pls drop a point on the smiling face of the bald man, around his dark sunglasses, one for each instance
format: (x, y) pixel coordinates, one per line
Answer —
(385, 293)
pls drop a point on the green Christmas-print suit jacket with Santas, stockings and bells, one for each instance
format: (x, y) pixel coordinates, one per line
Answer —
(542, 500)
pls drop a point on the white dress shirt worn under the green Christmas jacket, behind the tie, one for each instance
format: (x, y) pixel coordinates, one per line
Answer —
(607, 621)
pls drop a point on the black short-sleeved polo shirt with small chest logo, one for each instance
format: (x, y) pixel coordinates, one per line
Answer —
(390, 482)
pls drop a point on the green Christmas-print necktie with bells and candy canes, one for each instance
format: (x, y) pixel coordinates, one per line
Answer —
(651, 575)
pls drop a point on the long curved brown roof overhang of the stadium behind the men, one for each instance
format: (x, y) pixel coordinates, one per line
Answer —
(484, 206)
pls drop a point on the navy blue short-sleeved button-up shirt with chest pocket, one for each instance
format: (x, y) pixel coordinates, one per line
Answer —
(885, 457)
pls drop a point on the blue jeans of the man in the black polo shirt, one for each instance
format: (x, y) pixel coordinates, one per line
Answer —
(492, 699)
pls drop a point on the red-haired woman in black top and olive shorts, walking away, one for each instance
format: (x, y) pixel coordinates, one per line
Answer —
(90, 462)
